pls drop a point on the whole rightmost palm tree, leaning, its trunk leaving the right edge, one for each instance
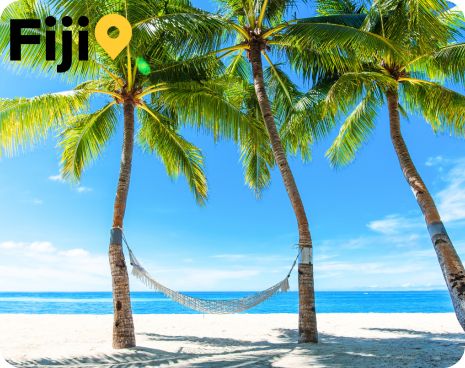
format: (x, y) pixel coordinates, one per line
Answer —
(410, 81)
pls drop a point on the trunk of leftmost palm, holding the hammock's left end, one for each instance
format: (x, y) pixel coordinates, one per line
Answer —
(123, 326)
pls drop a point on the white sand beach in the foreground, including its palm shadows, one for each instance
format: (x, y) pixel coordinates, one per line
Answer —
(347, 340)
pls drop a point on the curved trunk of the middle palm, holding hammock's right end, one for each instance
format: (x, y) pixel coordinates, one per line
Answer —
(307, 315)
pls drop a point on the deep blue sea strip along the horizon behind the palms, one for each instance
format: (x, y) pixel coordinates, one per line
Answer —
(155, 303)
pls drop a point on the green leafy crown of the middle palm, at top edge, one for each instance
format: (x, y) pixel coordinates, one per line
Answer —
(309, 45)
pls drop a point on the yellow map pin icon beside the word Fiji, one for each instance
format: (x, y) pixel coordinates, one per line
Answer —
(113, 46)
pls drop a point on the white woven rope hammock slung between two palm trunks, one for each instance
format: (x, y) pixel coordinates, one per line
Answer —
(207, 306)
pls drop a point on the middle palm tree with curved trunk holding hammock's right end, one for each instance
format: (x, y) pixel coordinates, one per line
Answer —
(310, 45)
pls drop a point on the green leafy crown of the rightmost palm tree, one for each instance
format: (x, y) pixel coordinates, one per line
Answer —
(425, 33)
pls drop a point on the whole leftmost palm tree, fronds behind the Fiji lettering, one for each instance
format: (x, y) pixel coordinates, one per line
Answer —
(157, 89)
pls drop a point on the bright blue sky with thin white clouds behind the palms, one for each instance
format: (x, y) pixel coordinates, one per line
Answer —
(367, 229)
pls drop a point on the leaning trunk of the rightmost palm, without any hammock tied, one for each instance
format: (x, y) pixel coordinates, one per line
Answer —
(451, 265)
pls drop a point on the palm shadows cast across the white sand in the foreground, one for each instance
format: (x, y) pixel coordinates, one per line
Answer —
(412, 349)
